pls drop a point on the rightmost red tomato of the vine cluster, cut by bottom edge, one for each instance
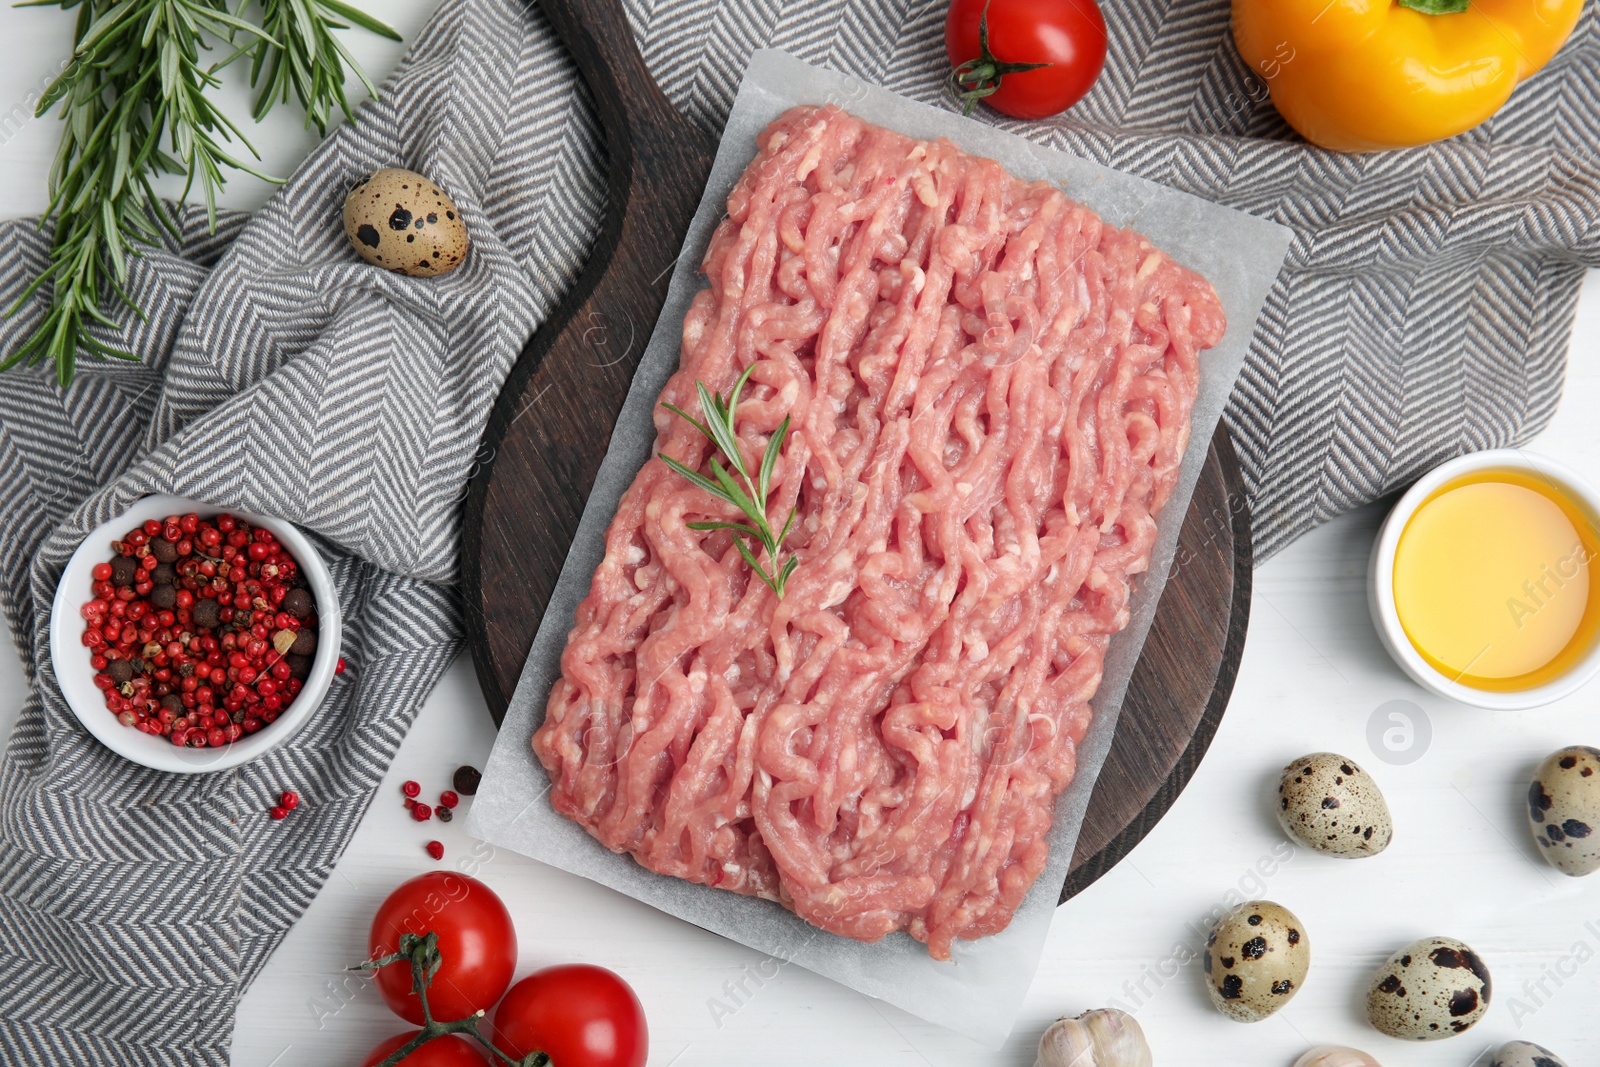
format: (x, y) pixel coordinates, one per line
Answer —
(578, 1015)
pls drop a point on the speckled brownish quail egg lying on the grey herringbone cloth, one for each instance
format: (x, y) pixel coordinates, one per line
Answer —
(406, 223)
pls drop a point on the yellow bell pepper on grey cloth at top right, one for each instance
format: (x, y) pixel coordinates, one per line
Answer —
(1361, 76)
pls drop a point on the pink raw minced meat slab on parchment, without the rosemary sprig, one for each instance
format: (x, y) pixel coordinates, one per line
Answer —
(990, 394)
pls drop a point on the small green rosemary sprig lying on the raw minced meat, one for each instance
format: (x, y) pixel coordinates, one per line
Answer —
(751, 497)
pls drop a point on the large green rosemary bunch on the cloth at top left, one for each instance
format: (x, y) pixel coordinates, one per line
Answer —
(135, 105)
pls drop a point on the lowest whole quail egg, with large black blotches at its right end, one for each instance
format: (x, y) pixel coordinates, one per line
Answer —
(1433, 989)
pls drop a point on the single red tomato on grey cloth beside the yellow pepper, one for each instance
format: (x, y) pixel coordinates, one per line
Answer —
(1066, 34)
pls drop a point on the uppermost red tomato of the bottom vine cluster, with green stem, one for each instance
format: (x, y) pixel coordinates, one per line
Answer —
(478, 946)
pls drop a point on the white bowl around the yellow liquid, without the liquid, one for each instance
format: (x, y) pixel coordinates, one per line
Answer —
(1382, 588)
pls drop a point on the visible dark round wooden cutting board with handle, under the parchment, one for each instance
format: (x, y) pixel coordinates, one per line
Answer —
(554, 417)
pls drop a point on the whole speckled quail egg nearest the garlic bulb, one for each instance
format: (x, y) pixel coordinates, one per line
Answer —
(1255, 961)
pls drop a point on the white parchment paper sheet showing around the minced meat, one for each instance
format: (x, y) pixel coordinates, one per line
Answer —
(982, 991)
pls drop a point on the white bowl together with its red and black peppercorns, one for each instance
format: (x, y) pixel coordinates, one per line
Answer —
(194, 639)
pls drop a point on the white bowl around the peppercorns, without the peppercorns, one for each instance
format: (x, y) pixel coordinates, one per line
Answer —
(78, 677)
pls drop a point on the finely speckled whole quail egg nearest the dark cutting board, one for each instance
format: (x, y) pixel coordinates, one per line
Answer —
(1327, 802)
